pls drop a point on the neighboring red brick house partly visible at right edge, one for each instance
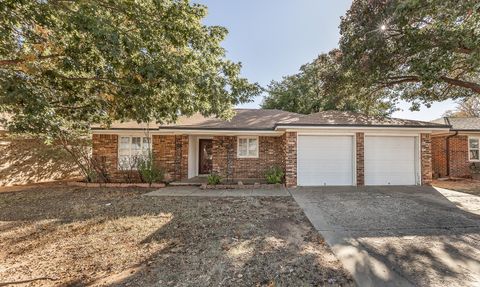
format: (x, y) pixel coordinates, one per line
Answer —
(455, 151)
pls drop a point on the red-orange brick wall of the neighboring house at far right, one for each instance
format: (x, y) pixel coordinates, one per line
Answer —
(459, 163)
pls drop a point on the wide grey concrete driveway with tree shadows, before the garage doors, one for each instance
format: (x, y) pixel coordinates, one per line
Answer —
(399, 236)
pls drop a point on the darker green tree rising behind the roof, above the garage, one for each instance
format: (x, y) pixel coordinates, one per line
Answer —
(322, 85)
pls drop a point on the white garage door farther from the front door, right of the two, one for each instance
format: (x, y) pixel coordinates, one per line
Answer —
(390, 160)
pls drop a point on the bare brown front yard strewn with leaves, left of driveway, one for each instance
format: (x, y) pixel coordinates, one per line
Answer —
(74, 236)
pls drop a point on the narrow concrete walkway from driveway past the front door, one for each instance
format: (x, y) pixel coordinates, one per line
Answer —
(196, 191)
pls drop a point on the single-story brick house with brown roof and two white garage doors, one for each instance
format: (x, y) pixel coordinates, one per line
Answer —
(324, 148)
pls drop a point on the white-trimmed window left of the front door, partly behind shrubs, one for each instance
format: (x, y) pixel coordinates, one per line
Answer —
(130, 149)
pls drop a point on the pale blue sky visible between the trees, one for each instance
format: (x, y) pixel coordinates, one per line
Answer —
(273, 38)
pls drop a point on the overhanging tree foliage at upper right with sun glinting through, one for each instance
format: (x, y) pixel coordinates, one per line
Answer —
(415, 50)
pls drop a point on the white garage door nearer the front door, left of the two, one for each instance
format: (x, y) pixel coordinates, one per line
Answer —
(325, 160)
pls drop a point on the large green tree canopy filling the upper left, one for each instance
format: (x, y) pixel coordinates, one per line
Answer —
(67, 64)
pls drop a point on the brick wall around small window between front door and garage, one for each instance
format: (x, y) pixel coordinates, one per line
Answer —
(226, 163)
